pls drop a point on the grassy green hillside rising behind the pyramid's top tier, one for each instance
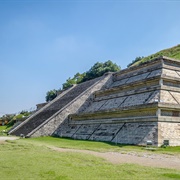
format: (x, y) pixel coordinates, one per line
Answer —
(173, 52)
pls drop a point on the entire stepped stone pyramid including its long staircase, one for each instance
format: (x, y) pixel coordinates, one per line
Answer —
(136, 105)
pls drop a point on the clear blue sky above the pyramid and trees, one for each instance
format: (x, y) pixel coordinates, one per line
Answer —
(44, 42)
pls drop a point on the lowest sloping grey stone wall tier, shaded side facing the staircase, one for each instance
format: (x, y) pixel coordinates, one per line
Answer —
(124, 133)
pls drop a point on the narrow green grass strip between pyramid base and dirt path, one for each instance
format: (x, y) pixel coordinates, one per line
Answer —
(98, 146)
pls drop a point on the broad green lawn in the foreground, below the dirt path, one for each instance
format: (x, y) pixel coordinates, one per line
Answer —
(23, 160)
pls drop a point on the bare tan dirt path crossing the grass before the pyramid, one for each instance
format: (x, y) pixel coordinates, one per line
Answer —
(144, 159)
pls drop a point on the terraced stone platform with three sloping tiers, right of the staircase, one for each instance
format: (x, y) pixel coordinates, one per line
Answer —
(142, 104)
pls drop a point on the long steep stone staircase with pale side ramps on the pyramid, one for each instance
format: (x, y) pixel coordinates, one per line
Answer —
(46, 120)
